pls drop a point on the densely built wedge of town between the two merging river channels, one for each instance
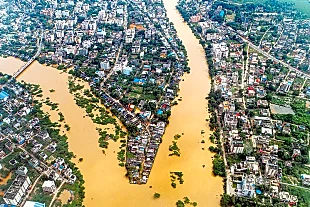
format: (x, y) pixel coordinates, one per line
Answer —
(129, 53)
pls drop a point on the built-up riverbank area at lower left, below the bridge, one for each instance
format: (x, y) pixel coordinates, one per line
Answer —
(26, 146)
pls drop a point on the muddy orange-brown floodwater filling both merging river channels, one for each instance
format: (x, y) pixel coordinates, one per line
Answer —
(105, 181)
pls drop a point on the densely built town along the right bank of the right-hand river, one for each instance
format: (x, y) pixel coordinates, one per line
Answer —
(262, 147)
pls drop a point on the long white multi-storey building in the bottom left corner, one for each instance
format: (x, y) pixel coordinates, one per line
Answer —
(17, 190)
